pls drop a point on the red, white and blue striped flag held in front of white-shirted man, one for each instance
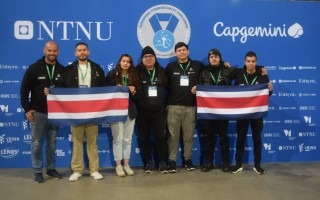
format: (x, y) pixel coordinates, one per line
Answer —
(96, 105)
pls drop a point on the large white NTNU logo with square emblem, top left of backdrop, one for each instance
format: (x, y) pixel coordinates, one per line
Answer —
(68, 30)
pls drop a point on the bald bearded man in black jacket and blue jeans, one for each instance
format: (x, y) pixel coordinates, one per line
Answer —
(46, 72)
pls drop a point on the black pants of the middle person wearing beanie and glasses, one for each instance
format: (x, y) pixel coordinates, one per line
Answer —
(149, 122)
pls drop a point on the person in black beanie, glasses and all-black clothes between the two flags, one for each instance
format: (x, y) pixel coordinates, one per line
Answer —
(151, 110)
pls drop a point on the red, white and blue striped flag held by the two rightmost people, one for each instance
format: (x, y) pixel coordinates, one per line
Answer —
(232, 102)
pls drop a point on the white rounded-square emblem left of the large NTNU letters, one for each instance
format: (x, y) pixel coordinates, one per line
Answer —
(23, 30)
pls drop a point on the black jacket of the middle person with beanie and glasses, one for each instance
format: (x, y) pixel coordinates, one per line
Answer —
(147, 103)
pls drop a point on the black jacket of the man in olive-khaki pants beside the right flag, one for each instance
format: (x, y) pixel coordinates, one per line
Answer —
(181, 95)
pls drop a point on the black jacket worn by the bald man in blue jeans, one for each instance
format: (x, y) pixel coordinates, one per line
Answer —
(35, 79)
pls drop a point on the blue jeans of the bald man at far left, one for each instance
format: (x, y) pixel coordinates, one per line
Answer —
(39, 128)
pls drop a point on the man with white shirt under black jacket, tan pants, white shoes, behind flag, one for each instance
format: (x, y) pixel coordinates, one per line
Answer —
(84, 73)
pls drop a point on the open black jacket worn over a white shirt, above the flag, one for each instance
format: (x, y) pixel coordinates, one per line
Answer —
(71, 75)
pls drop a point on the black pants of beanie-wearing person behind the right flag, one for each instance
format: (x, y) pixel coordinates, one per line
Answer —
(213, 127)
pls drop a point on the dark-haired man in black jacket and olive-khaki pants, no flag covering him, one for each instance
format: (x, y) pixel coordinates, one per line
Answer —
(183, 75)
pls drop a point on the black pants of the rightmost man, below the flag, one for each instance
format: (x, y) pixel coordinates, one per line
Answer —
(242, 130)
